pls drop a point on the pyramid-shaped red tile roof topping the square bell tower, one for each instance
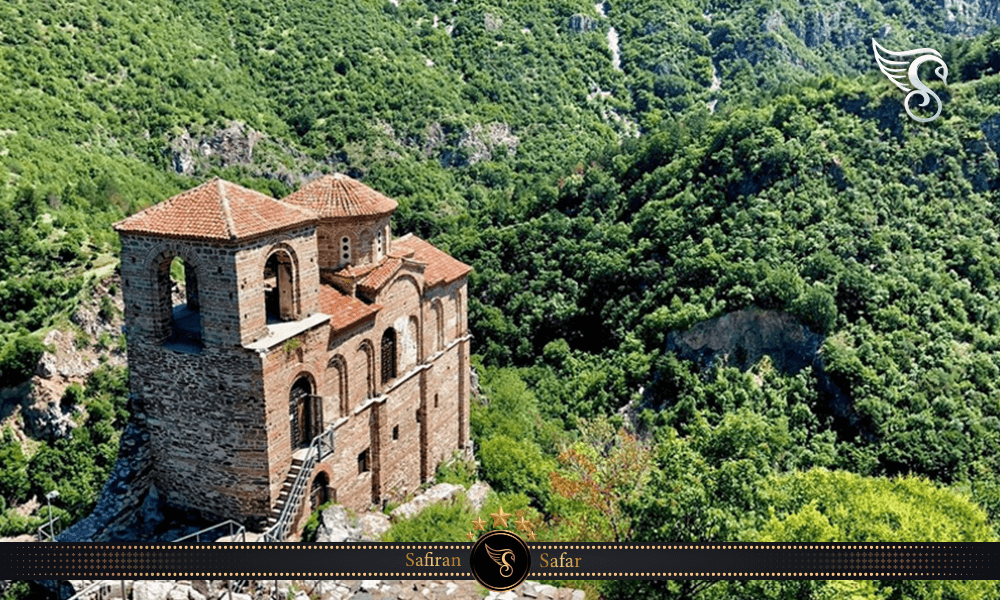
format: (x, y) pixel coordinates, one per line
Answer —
(215, 210)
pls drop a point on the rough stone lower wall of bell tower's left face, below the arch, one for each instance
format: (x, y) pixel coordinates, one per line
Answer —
(207, 432)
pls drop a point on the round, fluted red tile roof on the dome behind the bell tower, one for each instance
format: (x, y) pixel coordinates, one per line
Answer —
(337, 195)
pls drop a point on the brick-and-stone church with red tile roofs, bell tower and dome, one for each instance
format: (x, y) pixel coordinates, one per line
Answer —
(313, 357)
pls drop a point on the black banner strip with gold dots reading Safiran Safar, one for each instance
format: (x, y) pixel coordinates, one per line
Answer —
(452, 561)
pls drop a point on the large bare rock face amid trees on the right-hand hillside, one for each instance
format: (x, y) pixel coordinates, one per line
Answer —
(743, 337)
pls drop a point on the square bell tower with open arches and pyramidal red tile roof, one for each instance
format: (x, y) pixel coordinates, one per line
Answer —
(250, 263)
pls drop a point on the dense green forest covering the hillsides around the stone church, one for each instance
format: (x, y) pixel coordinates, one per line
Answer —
(716, 157)
